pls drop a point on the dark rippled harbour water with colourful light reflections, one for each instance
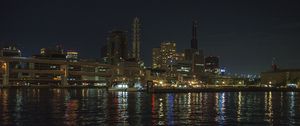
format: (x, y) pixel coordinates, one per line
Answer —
(101, 107)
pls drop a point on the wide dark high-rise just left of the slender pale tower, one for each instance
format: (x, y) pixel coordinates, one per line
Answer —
(117, 47)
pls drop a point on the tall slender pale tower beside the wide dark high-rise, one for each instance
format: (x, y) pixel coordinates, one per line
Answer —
(136, 38)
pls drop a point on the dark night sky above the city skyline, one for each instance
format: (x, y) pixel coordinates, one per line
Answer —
(246, 34)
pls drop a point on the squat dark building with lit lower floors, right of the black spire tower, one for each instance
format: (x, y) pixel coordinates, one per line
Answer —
(212, 65)
